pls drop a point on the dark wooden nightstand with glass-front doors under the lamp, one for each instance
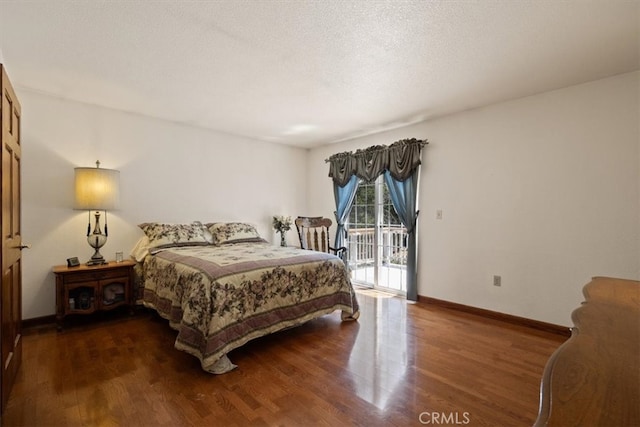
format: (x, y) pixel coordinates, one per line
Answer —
(84, 289)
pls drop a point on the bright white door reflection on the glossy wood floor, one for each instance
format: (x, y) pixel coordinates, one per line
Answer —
(379, 357)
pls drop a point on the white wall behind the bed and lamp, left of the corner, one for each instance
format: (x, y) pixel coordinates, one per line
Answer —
(168, 172)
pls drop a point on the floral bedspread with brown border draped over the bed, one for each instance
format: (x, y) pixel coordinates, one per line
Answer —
(220, 297)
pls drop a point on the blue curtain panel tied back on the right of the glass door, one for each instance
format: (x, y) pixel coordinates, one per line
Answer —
(404, 196)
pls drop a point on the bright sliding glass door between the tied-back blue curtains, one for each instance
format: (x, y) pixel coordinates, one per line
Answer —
(377, 240)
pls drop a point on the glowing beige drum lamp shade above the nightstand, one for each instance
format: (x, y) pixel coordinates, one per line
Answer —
(97, 189)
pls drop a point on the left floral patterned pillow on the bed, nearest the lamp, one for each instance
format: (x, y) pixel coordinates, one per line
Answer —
(167, 235)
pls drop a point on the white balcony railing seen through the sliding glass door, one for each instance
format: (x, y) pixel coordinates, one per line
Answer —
(393, 246)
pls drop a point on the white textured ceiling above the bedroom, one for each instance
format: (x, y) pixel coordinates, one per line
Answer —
(308, 73)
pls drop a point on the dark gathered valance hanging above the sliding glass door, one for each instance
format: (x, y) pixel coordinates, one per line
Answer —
(400, 158)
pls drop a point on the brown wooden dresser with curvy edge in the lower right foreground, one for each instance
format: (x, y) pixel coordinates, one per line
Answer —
(593, 379)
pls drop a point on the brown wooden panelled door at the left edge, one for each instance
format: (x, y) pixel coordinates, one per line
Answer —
(11, 303)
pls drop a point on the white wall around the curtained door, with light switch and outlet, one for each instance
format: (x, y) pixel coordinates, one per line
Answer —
(543, 190)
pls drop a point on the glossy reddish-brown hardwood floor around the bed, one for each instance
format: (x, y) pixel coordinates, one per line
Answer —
(400, 364)
